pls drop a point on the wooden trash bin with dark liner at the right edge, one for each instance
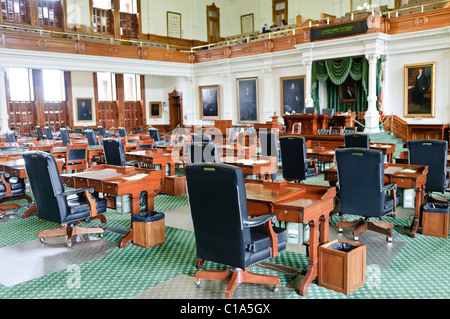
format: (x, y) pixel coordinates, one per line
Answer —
(435, 219)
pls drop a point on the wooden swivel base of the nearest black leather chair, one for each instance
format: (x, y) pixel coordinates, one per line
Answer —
(235, 276)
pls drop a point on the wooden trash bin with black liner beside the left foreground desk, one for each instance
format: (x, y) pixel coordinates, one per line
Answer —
(148, 229)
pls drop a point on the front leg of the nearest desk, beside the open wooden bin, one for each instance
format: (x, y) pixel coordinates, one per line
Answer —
(311, 274)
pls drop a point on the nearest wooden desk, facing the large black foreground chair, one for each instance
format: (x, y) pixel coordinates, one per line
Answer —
(296, 203)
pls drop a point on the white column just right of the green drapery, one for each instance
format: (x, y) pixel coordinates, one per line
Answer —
(372, 115)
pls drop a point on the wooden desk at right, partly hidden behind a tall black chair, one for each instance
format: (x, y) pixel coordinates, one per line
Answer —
(393, 174)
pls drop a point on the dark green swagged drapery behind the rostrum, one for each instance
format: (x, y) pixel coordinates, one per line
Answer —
(334, 73)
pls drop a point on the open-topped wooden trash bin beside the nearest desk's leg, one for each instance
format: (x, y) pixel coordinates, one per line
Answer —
(342, 266)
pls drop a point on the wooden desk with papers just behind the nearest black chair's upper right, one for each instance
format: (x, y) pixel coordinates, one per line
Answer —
(256, 165)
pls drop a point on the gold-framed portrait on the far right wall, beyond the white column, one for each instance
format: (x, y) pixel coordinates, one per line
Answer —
(419, 89)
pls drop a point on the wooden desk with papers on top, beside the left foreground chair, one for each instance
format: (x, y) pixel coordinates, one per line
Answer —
(117, 181)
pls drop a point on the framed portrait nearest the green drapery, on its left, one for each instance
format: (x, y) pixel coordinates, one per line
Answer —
(292, 94)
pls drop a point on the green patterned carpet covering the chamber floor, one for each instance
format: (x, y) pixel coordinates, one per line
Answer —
(420, 270)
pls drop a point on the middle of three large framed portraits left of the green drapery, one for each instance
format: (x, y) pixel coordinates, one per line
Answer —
(247, 93)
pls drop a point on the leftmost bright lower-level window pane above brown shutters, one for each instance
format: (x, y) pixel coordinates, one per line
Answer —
(20, 85)
